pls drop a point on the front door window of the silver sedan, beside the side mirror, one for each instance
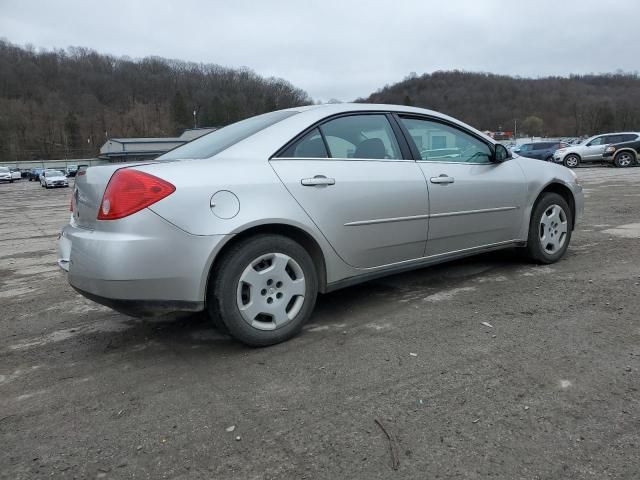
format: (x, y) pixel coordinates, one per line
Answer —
(437, 142)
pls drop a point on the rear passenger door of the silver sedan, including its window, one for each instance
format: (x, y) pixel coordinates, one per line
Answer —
(354, 178)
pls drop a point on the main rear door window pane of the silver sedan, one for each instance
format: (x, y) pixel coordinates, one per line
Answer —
(361, 136)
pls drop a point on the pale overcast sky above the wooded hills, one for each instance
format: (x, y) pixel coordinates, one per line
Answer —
(340, 48)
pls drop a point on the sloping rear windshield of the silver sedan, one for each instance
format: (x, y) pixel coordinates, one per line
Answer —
(213, 143)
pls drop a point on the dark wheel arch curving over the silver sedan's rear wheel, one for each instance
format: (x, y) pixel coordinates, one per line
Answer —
(295, 233)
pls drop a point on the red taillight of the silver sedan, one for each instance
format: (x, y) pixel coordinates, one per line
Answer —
(129, 191)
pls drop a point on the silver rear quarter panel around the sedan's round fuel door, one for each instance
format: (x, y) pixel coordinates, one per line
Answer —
(262, 198)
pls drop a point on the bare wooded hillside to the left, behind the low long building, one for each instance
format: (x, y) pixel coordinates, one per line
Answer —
(65, 103)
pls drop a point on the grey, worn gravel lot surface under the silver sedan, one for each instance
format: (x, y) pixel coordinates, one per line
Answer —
(551, 391)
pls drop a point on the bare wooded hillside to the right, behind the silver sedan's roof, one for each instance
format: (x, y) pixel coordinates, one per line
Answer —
(554, 106)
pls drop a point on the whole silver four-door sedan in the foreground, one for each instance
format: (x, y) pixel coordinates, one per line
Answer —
(251, 221)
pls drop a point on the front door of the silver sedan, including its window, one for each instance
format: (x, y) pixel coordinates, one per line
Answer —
(473, 202)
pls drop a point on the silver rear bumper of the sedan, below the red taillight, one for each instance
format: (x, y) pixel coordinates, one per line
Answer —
(161, 271)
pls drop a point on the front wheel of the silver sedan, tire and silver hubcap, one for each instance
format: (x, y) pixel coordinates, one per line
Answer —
(549, 229)
